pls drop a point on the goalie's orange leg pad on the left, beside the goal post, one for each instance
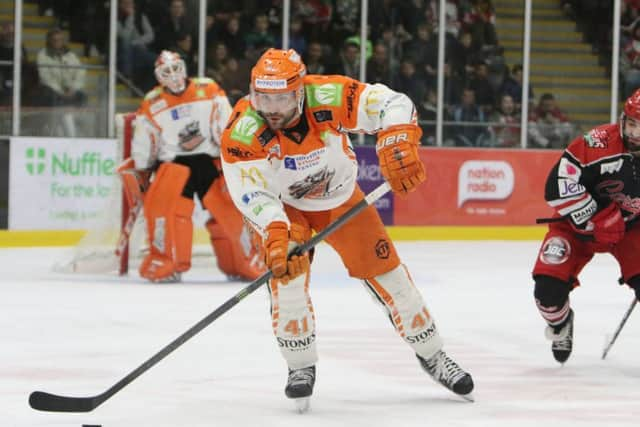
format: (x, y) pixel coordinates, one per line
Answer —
(169, 226)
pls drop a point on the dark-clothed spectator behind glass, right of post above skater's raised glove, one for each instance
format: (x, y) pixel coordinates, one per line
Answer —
(467, 113)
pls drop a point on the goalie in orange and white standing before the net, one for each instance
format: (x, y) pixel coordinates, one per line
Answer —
(177, 136)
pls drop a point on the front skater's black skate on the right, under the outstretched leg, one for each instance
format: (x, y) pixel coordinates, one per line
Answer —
(447, 372)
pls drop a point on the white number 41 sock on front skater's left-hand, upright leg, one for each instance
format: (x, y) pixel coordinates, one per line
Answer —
(293, 321)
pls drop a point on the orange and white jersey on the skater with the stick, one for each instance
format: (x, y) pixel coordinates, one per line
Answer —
(310, 166)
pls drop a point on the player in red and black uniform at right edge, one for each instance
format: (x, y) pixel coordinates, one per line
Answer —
(595, 190)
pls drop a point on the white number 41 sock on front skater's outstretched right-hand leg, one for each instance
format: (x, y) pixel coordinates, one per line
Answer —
(403, 303)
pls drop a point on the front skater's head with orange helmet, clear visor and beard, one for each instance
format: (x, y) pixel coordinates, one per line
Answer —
(277, 92)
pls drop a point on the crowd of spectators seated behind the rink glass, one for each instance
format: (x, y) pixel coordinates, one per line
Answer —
(482, 96)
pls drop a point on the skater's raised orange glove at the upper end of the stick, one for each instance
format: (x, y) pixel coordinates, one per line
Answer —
(400, 164)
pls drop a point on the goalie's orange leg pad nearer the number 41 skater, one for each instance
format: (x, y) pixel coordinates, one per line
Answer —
(237, 247)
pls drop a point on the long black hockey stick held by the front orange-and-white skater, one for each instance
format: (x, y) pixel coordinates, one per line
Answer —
(51, 402)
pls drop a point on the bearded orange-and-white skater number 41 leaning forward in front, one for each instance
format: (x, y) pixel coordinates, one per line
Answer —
(291, 170)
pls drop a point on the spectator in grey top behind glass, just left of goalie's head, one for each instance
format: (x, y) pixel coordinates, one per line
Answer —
(135, 36)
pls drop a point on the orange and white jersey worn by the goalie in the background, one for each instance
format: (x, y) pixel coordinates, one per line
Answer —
(191, 123)
